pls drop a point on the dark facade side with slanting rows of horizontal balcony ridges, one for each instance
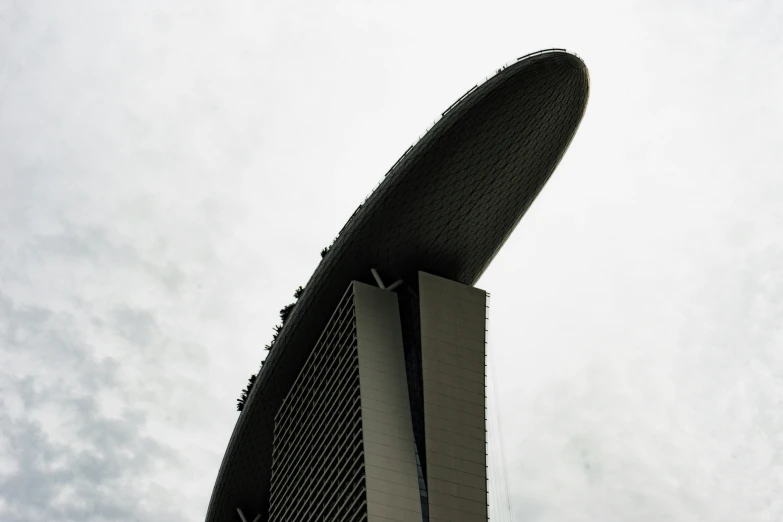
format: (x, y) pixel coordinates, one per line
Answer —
(318, 431)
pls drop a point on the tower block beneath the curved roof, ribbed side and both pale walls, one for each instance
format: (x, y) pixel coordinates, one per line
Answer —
(344, 445)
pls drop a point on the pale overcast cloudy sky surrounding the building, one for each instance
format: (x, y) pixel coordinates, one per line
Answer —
(169, 172)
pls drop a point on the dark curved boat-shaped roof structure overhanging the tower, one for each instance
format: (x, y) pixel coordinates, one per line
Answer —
(446, 207)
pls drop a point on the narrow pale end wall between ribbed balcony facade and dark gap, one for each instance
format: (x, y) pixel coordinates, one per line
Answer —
(390, 462)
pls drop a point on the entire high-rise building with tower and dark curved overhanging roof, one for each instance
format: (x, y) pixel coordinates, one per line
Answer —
(371, 404)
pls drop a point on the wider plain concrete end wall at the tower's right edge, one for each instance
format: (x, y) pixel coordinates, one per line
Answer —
(453, 348)
